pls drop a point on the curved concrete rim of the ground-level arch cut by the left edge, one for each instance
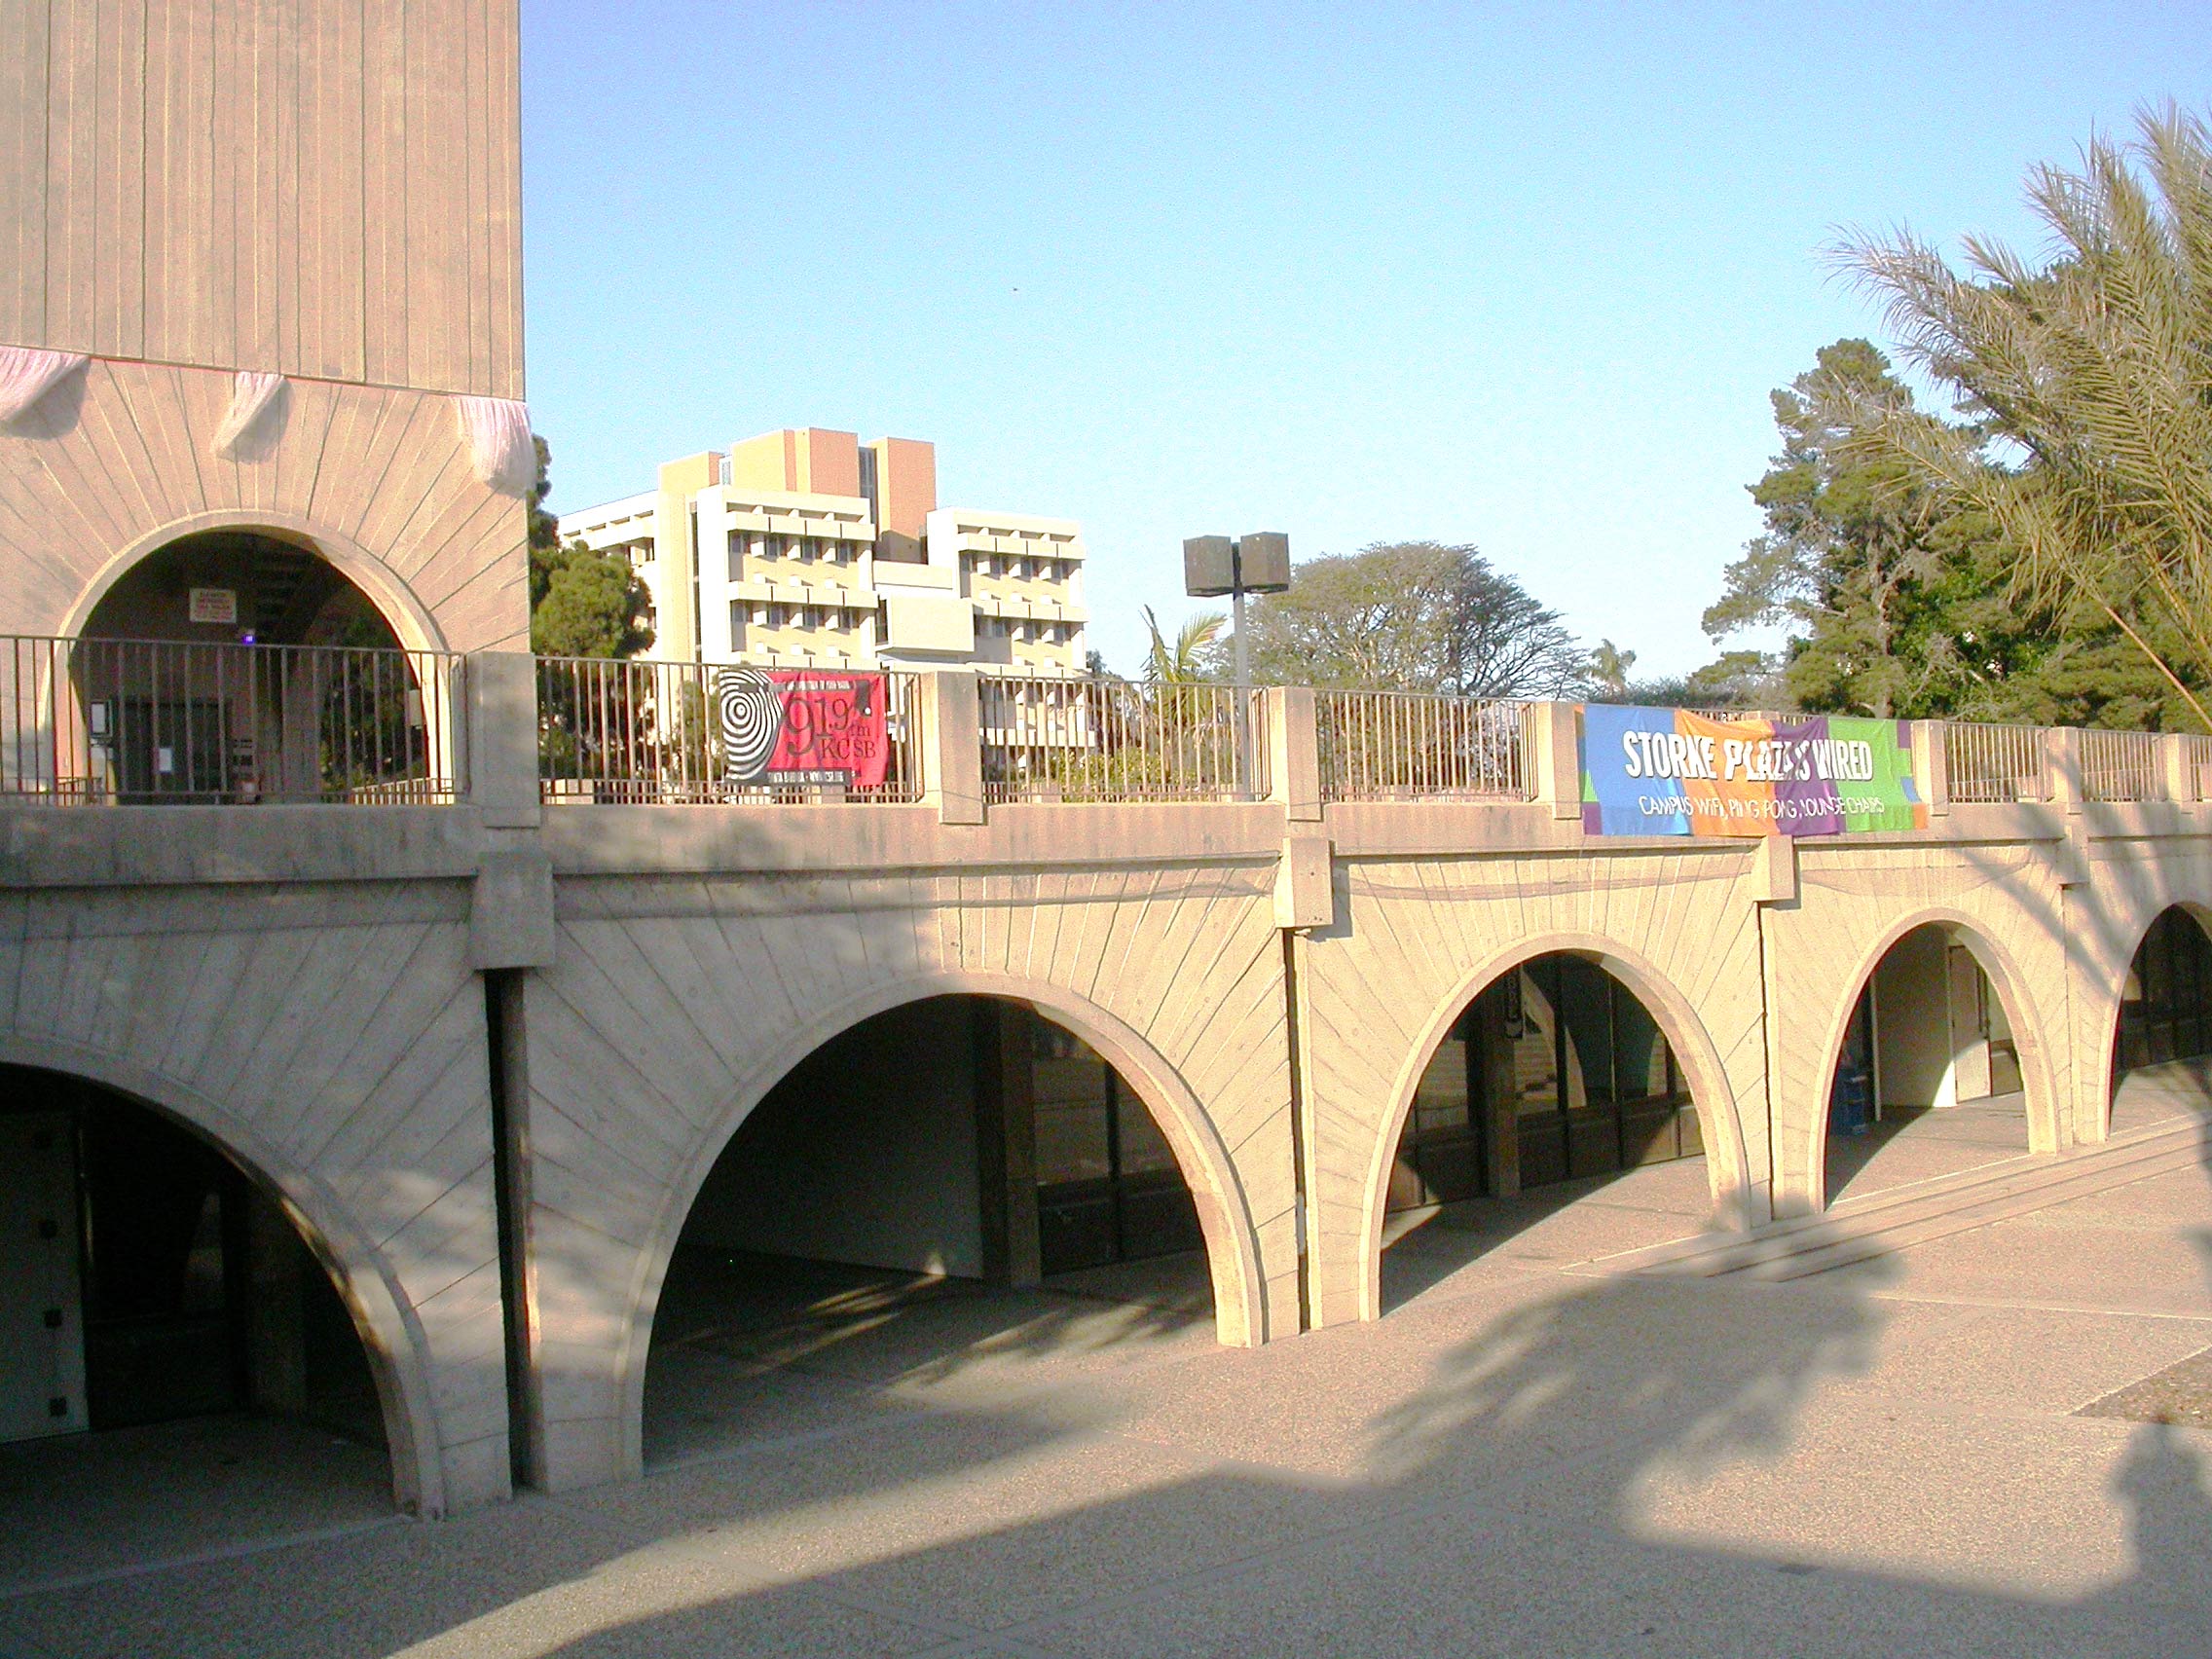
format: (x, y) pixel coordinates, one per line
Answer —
(382, 1315)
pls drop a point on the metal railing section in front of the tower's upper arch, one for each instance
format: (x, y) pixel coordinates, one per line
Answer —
(167, 722)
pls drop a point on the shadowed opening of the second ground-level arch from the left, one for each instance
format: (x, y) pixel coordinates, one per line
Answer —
(941, 1185)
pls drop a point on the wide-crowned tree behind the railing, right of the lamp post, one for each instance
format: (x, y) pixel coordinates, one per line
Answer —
(1412, 616)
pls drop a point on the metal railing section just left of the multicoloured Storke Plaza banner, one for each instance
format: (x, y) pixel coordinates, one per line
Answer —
(1388, 747)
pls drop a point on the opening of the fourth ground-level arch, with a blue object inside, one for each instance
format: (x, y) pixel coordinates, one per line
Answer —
(1928, 1076)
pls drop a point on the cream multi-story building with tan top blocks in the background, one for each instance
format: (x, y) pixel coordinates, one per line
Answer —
(811, 550)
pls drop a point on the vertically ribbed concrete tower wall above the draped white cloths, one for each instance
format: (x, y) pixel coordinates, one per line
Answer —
(313, 187)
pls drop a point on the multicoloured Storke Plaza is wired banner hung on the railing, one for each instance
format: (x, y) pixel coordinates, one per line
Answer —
(1669, 773)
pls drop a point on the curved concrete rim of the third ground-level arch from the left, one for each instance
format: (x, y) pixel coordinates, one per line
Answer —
(1715, 1103)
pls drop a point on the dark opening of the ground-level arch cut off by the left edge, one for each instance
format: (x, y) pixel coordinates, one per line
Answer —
(180, 1355)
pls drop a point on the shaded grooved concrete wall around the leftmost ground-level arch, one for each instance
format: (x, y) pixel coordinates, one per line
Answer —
(331, 1041)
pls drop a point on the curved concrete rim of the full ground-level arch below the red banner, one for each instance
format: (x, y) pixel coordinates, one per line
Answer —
(1204, 1160)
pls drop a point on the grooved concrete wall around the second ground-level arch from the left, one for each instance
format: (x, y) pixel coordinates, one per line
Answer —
(676, 1005)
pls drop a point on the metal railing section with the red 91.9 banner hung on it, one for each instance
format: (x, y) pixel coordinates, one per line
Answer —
(665, 733)
